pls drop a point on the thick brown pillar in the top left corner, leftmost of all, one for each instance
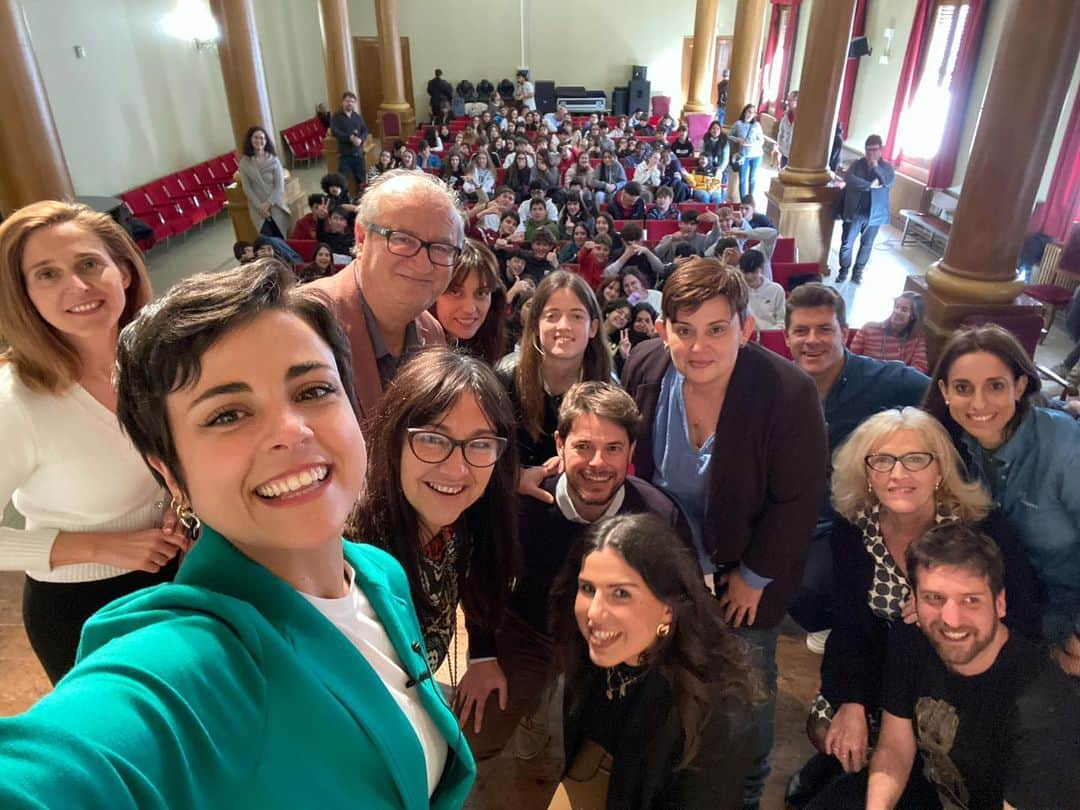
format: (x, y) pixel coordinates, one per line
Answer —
(34, 167)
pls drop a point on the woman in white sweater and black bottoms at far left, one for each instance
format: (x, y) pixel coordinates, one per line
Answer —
(70, 281)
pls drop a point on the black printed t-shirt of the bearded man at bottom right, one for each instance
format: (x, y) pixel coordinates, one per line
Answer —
(1011, 734)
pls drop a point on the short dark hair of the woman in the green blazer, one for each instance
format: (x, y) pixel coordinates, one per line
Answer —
(161, 352)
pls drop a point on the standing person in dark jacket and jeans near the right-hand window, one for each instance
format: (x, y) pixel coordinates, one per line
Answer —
(866, 202)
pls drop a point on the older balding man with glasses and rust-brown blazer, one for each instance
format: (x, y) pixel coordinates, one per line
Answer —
(410, 235)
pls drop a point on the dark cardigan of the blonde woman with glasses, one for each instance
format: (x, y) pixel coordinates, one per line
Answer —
(853, 670)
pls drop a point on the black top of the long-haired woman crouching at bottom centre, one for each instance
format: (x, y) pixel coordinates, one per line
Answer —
(644, 736)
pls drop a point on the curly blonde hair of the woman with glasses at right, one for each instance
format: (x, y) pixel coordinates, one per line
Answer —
(852, 493)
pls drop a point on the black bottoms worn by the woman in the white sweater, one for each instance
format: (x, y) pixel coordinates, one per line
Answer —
(55, 613)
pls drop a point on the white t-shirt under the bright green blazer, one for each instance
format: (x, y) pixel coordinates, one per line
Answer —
(356, 618)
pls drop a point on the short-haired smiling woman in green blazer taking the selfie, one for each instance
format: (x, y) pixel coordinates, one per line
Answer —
(195, 694)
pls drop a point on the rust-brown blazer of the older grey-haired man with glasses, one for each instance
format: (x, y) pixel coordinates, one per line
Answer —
(343, 289)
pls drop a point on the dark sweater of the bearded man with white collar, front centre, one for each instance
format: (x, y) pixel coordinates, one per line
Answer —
(548, 539)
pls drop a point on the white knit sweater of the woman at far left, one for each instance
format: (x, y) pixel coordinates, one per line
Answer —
(66, 466)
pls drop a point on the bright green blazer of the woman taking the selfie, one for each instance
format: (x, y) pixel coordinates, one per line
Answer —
(227, 690)
